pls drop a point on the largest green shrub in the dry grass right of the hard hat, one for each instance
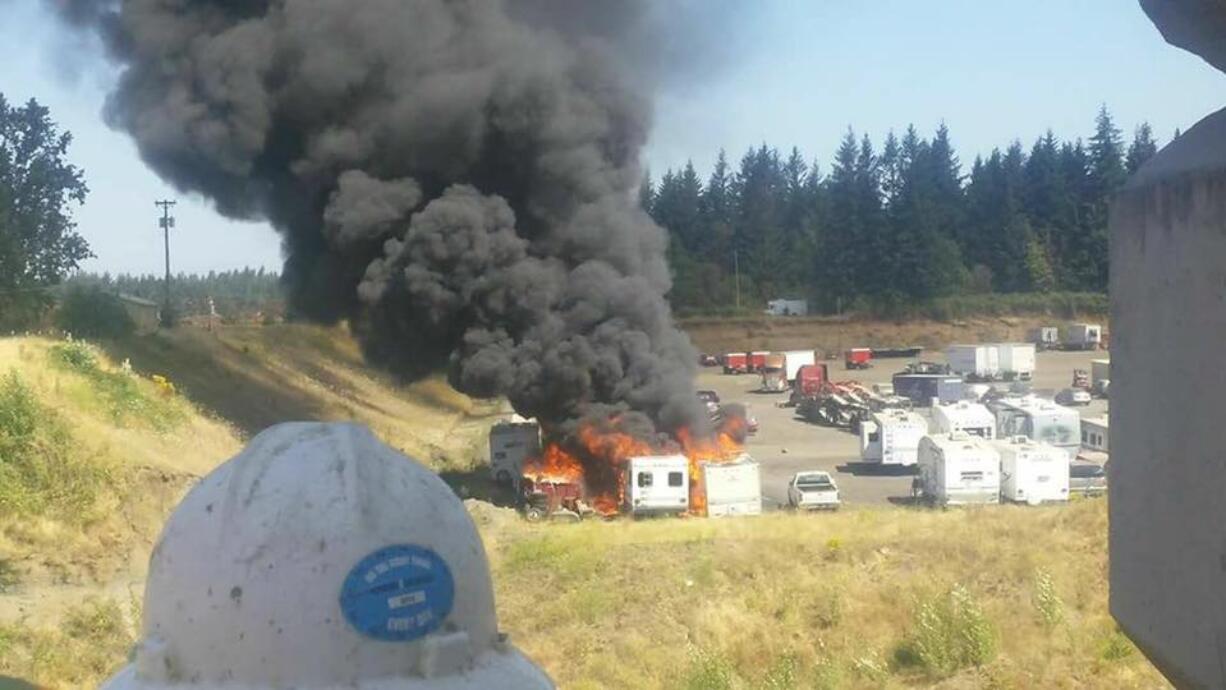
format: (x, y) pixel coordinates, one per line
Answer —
(950, 633)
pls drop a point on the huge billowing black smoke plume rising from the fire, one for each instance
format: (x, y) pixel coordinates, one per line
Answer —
(454, 177)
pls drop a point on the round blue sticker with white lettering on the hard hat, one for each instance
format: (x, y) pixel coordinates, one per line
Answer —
(399, 594)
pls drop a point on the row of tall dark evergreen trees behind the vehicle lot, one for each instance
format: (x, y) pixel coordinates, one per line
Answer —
(894, 226)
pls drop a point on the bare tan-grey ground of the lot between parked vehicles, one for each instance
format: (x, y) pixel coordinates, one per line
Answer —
(786, 444)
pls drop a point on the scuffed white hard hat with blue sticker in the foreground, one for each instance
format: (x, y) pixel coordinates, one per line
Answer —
(319, 558)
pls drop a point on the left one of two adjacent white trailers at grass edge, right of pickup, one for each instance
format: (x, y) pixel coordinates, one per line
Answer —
(959, 470)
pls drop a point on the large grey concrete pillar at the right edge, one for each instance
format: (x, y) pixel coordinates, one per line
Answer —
(1168, 471)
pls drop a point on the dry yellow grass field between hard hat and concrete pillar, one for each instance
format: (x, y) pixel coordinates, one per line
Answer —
(1003, 597)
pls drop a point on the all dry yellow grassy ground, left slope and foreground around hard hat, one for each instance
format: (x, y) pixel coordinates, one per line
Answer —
(93, 458)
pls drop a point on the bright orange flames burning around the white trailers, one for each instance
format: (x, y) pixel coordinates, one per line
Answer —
(599, 454)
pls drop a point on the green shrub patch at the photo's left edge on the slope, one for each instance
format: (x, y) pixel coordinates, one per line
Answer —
(42, 471)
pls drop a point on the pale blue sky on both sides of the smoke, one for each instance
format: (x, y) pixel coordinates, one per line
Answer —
(796, 73)
